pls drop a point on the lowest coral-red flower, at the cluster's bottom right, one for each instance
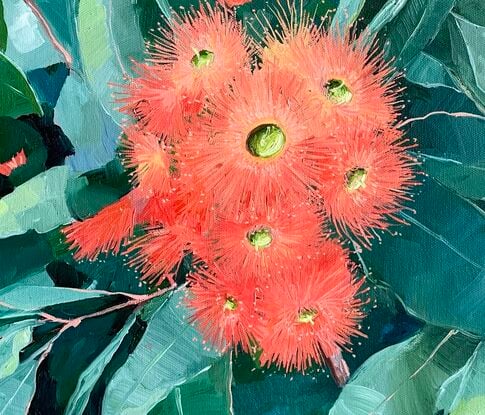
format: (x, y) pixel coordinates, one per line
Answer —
(311, 311)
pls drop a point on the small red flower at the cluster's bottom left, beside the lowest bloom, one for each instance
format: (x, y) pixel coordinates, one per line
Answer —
(223, 304)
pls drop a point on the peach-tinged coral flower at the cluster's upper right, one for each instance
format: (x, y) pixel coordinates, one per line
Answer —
(346, 78)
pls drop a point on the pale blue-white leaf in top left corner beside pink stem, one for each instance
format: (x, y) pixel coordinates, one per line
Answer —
(28, 45)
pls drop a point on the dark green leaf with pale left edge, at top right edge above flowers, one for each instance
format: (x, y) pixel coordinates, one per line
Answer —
(409, 26)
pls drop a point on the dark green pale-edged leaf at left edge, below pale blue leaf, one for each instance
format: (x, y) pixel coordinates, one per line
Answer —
(17, 97)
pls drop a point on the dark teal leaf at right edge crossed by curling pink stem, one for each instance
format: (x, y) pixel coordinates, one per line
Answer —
(450, 147)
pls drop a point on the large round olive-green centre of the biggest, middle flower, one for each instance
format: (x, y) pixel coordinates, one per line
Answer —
(266, 141)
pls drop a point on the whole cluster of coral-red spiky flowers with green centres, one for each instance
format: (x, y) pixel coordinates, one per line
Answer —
(259, 160)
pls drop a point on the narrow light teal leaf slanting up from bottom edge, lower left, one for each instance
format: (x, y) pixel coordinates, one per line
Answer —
(88, 379)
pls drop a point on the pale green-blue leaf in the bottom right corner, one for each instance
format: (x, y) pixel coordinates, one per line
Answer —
(464, 392)
